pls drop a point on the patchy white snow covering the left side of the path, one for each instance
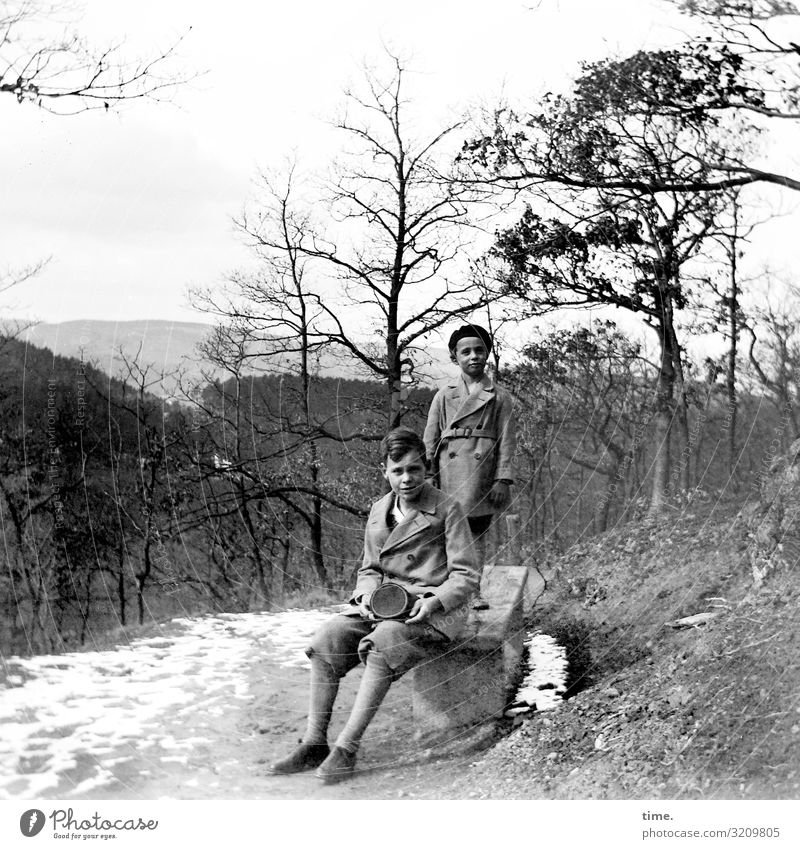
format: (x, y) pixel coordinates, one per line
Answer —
(72, 724)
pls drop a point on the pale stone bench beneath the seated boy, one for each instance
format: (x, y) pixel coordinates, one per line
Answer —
(471, 683)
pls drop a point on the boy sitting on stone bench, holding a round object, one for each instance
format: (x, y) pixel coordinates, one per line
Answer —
(418, 538)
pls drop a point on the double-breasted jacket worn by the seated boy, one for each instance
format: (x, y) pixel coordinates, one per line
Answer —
(430, 552)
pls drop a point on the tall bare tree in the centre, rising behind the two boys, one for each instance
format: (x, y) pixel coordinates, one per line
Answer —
(383, 244)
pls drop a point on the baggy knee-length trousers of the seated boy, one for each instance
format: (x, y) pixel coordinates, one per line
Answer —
(344, 641)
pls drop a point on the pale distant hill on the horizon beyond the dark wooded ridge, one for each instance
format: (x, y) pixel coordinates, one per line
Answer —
(171, 347)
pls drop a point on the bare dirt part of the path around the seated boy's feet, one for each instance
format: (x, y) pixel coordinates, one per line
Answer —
(228, 759)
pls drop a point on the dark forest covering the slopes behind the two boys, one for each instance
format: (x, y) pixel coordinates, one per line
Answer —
(121, 506)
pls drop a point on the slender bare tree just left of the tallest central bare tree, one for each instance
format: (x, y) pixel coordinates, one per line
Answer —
(273, 314)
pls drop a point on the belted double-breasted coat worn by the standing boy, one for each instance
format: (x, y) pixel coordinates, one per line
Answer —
(470, 442)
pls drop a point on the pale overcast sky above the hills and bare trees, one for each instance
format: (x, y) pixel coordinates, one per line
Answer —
(135, 208)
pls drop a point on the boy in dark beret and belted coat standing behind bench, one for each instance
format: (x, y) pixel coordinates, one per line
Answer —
(469, 437)
